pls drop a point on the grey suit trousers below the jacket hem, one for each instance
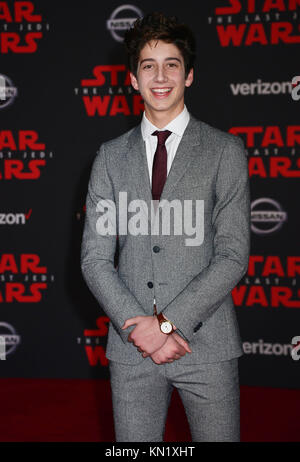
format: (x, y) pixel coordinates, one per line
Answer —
(141, 395)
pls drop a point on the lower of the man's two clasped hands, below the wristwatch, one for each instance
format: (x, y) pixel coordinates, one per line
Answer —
(174, 348)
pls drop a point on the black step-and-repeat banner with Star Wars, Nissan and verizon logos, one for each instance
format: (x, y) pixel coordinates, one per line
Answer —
(65, 89)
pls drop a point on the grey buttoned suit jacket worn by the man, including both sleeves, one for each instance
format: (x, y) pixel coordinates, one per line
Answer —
(191, 284)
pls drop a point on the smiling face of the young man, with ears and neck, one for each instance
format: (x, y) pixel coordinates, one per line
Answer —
(161, 81)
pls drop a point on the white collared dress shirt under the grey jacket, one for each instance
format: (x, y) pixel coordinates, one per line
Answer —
(177, 126)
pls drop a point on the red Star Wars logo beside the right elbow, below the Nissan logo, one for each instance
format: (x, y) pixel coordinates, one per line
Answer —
(270, 282)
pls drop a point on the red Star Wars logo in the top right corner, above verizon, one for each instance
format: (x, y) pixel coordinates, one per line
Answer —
(252, 22)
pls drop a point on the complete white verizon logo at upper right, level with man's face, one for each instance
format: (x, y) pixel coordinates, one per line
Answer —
(261, 88)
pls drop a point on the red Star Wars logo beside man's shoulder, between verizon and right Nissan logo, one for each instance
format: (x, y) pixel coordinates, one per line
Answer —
(272, 150)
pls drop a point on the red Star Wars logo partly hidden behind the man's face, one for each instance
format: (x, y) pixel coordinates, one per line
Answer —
(110, 93)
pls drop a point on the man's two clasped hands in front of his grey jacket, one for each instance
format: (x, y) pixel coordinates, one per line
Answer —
(150, 341)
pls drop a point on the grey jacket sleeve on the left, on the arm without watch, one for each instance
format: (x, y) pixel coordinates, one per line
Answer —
(98, 251)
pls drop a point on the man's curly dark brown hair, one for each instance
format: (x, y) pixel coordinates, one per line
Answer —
(157, 26)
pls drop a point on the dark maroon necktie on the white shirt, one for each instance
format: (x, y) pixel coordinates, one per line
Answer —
(159, 169)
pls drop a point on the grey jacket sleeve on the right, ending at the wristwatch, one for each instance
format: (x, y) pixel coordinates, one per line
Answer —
(231, 224)
